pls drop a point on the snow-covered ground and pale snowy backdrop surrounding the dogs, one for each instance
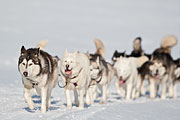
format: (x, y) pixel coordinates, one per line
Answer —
(73, 24)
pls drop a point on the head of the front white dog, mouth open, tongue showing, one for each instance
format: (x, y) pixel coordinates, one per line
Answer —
(69, 62)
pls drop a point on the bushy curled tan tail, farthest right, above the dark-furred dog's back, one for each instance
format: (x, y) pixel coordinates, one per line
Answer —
(168, 42)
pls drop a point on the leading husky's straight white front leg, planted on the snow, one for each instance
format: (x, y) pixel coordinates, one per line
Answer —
(43, 99)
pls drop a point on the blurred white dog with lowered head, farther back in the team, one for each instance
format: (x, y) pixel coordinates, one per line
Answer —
(126, 73)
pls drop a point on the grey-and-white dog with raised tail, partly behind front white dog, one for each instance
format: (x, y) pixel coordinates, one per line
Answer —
(101, 72)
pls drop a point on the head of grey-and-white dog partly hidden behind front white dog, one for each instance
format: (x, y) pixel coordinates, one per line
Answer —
(95, 67)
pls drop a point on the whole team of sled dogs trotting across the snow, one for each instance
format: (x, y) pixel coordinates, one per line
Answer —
(89, 74)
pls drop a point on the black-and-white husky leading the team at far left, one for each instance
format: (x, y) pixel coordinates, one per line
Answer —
(39, 70)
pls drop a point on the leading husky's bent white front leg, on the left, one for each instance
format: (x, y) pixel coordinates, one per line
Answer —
(28, 98)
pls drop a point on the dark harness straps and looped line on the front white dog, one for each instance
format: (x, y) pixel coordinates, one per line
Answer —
(68, 79)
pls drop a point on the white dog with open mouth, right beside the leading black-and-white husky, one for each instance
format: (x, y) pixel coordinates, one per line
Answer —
(75, 74)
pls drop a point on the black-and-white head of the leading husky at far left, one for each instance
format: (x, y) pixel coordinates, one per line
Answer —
(29, 63)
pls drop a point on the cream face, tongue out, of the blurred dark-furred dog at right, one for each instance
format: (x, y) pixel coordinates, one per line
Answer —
(157, 70)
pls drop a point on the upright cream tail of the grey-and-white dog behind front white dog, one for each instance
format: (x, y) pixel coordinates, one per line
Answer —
(99, 47)
